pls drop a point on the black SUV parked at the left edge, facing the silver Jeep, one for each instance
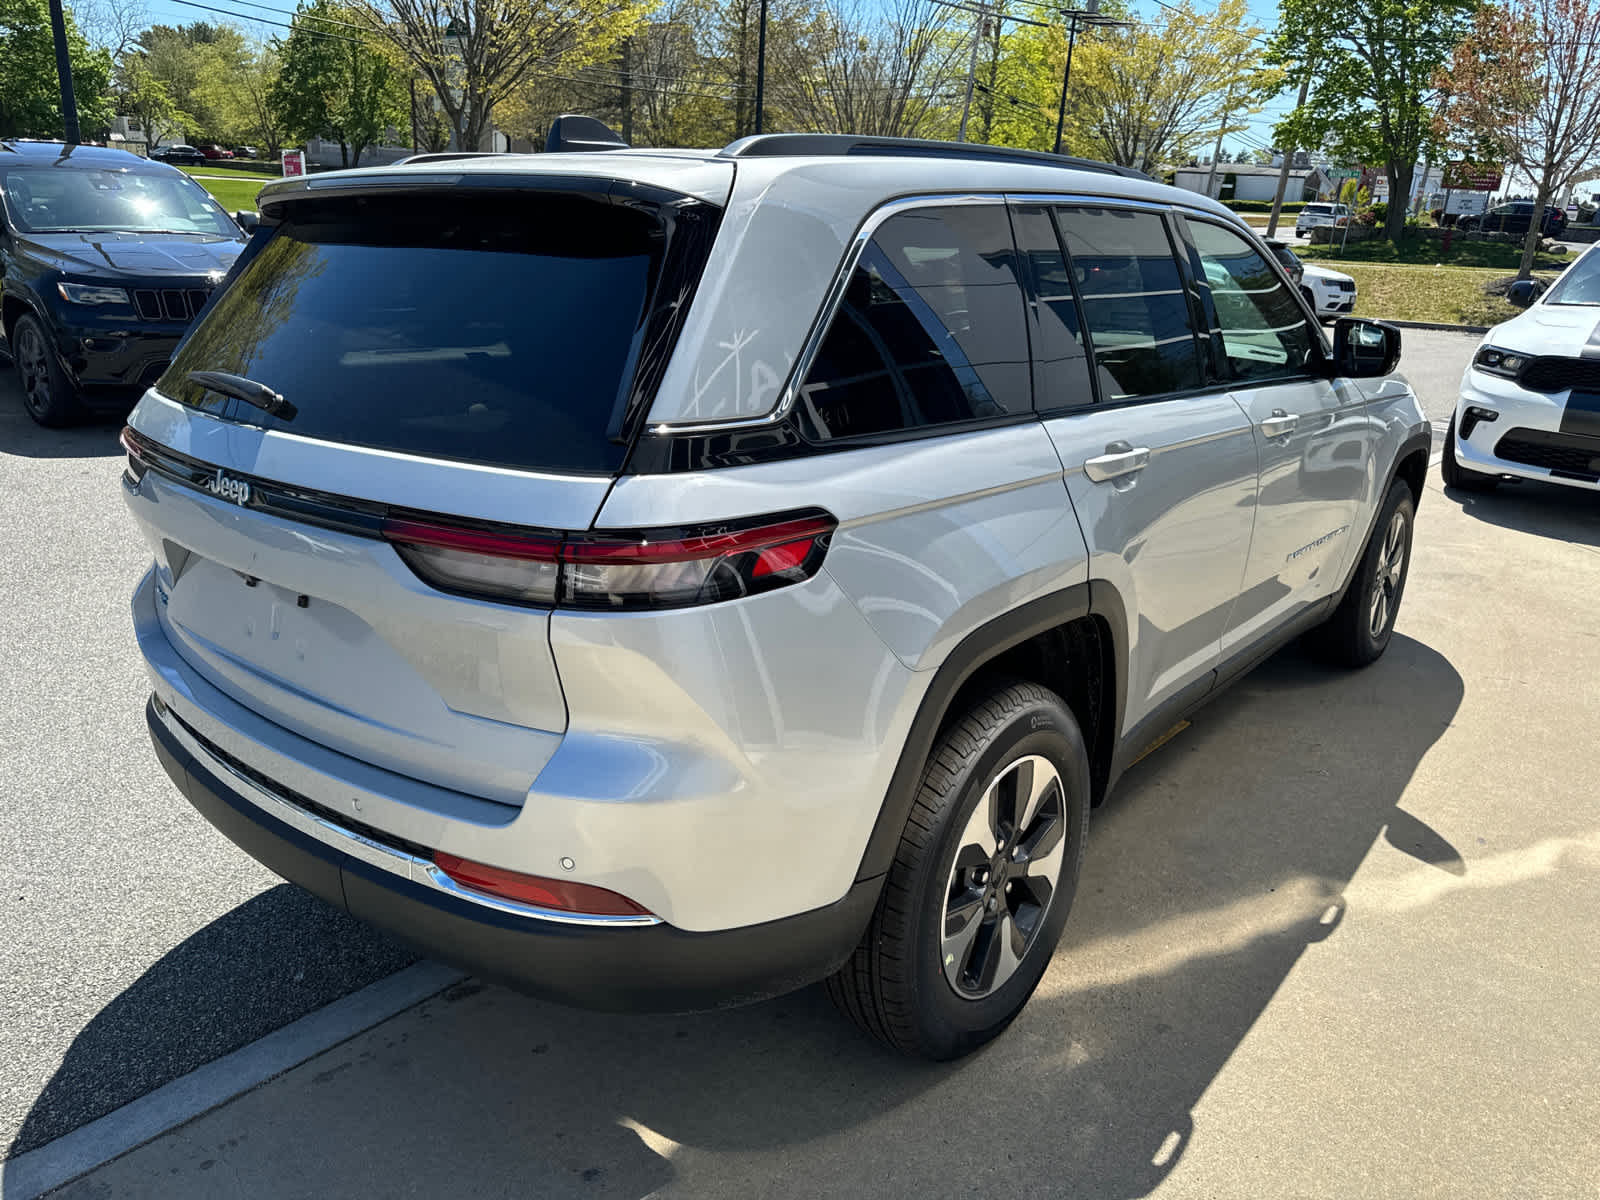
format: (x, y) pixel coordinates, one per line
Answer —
(105, 262)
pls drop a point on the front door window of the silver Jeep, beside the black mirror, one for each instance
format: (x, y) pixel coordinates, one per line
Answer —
(1263, 330)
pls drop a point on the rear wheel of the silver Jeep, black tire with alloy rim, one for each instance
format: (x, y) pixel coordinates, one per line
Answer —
(937, 996)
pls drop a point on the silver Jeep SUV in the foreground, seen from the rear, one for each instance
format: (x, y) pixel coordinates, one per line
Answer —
(663, 580)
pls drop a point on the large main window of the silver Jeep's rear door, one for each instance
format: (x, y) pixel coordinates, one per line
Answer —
(1134, 302)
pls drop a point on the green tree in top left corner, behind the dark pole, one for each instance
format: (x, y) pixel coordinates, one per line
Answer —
(30, 90)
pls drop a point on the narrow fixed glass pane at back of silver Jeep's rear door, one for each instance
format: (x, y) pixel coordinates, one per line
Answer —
(1062, 364)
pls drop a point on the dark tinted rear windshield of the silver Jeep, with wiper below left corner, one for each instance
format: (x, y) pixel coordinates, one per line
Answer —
(490, 329)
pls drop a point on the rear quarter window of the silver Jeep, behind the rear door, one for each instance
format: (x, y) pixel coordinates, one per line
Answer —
(930, 330)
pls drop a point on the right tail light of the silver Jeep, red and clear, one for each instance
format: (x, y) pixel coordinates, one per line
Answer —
(654, 569)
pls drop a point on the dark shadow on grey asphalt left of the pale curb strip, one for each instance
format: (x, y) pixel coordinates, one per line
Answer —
(274, 959)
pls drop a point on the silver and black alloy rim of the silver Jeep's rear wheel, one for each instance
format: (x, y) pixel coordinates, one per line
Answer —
(1004, 878)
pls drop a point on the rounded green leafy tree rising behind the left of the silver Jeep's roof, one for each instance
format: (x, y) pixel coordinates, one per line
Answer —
(337, 82)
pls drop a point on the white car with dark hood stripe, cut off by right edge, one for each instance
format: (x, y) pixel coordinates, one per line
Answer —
(1530, 401)
